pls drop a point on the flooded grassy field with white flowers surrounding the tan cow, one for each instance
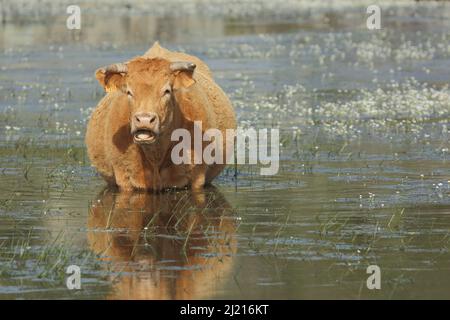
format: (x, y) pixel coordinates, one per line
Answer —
(364, 118)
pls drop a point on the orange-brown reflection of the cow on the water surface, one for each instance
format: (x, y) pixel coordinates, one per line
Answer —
(176, 245)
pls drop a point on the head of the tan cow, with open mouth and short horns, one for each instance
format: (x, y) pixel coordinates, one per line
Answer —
(150, 85)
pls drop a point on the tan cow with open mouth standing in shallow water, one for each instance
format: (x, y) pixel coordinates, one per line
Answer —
(129, 134)
